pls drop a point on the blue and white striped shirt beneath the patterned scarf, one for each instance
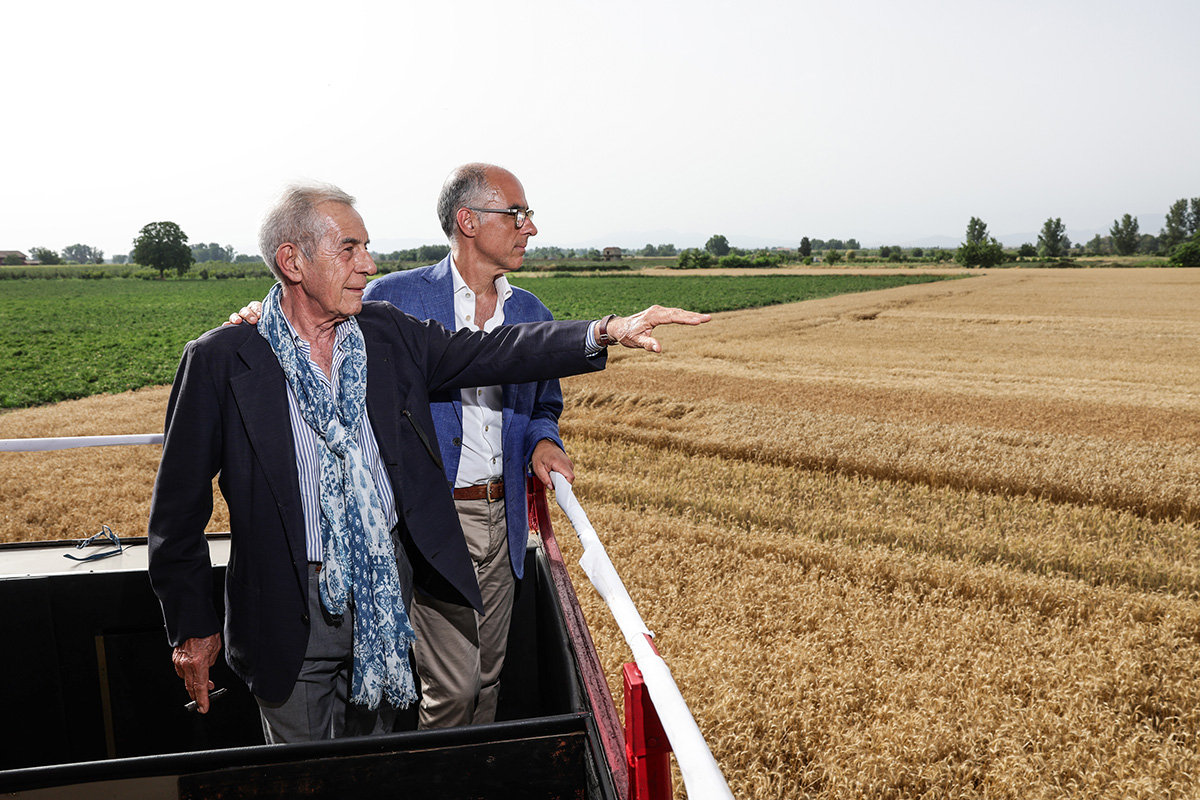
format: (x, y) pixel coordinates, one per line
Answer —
(310, 448)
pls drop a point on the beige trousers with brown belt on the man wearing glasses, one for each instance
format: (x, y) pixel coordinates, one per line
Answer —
(460, 654)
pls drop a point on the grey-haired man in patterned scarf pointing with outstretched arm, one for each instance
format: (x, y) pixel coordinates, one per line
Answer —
(337, 495)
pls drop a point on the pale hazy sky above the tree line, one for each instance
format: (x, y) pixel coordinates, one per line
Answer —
(628, 123)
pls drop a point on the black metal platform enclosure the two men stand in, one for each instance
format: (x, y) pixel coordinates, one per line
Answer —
(92, 707)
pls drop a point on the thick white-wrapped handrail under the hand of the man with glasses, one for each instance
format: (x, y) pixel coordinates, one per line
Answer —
(701, 775)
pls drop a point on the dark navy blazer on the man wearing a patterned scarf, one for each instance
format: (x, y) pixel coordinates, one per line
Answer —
(229, 417)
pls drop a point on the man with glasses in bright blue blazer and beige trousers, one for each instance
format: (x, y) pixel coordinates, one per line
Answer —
(488, 435)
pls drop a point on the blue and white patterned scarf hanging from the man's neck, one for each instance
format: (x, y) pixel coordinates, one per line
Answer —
(359, 561)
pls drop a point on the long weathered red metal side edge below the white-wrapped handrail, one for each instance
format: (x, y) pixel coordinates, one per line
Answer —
(599, 696)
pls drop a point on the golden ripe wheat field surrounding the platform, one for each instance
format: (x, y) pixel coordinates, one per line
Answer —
(938, 542)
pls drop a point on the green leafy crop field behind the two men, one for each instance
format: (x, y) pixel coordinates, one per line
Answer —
(70, 339)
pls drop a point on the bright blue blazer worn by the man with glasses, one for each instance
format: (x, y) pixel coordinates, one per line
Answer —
(531, 412)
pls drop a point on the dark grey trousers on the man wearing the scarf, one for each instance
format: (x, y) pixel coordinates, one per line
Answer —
(320, 707)
